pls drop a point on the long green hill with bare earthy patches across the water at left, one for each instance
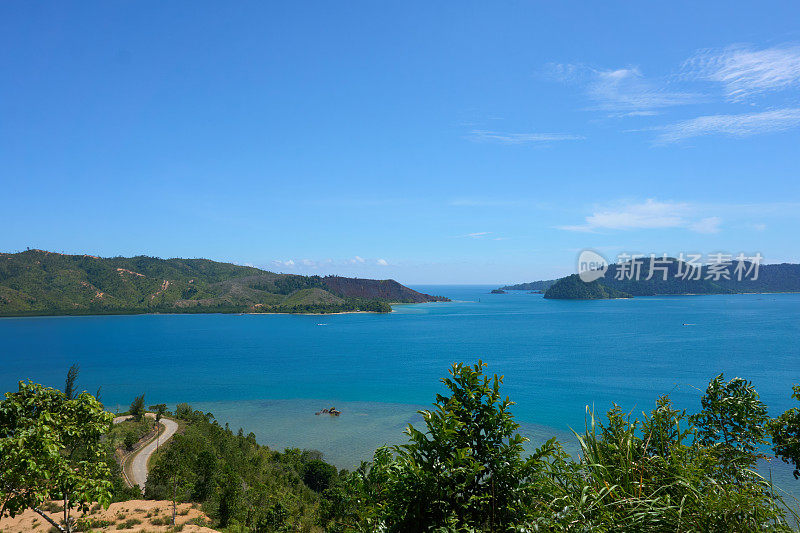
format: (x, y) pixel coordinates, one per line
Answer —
(37, 282)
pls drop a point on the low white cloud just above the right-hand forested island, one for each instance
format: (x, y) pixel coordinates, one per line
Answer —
(650, 214)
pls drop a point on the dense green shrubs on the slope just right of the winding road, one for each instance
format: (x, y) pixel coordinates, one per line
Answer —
(242, 485)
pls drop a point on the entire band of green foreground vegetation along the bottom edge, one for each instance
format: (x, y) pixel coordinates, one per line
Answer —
(464, 471)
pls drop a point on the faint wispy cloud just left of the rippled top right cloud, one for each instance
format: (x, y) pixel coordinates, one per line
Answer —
(624, 91)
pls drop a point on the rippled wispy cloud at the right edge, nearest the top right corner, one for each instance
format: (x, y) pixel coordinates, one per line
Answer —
(745, 71)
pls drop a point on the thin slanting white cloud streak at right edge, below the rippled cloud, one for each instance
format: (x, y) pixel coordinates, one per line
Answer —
(742, 125)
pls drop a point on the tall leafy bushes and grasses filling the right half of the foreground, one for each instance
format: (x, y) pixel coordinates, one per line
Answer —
(665, 472)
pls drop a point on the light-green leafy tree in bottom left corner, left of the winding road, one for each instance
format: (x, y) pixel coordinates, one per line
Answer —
(51, 448)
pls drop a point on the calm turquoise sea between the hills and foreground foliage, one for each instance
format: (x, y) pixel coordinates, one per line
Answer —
(270, 373)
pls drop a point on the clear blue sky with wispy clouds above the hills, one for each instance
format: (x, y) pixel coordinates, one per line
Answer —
(451, 142)
